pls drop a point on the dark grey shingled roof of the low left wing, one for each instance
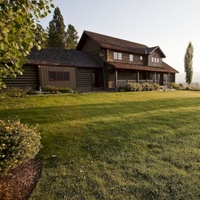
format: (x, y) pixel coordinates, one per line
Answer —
(59, 56)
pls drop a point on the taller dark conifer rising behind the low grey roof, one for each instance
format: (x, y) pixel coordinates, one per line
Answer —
(56, 30)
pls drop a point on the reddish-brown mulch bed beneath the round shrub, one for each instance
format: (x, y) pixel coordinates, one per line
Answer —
(21, 181)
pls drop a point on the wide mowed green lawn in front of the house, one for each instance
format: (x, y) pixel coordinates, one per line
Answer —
(143, 145)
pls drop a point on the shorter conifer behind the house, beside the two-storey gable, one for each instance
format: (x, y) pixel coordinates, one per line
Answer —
(71, 37)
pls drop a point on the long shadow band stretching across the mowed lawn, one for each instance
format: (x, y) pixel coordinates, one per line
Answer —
(83, 112)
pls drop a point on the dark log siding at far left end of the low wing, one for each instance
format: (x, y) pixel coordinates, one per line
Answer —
(28, 79)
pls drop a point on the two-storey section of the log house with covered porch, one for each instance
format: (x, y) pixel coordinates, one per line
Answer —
(126, 62)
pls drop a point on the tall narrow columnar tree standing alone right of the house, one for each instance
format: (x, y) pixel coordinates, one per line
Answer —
(188, 63)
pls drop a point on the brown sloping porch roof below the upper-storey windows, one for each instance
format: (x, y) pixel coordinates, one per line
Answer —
(164, 68)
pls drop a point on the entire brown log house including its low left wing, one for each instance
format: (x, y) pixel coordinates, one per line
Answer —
(98, 62)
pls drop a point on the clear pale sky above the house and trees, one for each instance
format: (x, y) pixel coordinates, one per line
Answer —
(170, 24)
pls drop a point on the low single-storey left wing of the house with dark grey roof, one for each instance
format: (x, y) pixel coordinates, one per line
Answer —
(58, 67)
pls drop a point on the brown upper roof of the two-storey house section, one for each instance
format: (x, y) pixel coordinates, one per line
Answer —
(117, 44)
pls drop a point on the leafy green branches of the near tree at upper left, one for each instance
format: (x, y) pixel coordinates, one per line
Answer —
(18, 29)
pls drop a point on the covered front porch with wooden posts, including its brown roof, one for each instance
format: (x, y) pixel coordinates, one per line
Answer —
(120, 74)
